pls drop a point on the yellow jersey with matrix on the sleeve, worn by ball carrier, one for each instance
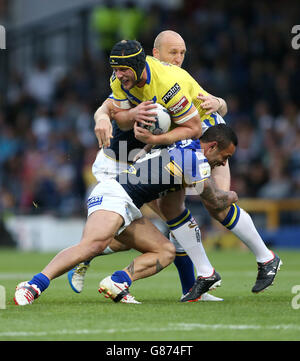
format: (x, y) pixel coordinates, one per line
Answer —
(167, 84)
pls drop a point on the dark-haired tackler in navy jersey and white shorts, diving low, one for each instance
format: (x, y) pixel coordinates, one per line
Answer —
(113, 211)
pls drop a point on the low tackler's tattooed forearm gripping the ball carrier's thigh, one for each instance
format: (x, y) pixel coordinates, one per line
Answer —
(217, 198)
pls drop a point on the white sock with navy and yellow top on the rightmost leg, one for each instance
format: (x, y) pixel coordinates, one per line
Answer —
(240, 224)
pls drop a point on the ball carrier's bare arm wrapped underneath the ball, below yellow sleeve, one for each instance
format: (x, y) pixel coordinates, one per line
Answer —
(189, 127)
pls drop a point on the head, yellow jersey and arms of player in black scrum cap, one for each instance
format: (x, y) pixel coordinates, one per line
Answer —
(137, 79)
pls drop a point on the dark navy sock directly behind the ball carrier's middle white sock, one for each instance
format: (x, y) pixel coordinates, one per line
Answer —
(185, 270)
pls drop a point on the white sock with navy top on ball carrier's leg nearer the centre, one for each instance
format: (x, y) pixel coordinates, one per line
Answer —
(186, 231)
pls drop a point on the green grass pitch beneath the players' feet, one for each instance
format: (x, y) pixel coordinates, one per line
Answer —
(60, 314)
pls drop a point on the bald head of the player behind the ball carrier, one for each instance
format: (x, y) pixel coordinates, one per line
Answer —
(169, 46)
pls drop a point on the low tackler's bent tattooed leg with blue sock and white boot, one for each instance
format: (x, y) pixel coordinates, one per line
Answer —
(157, 253)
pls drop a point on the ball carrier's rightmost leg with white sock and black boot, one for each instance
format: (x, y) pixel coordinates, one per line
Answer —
(239, 222)
